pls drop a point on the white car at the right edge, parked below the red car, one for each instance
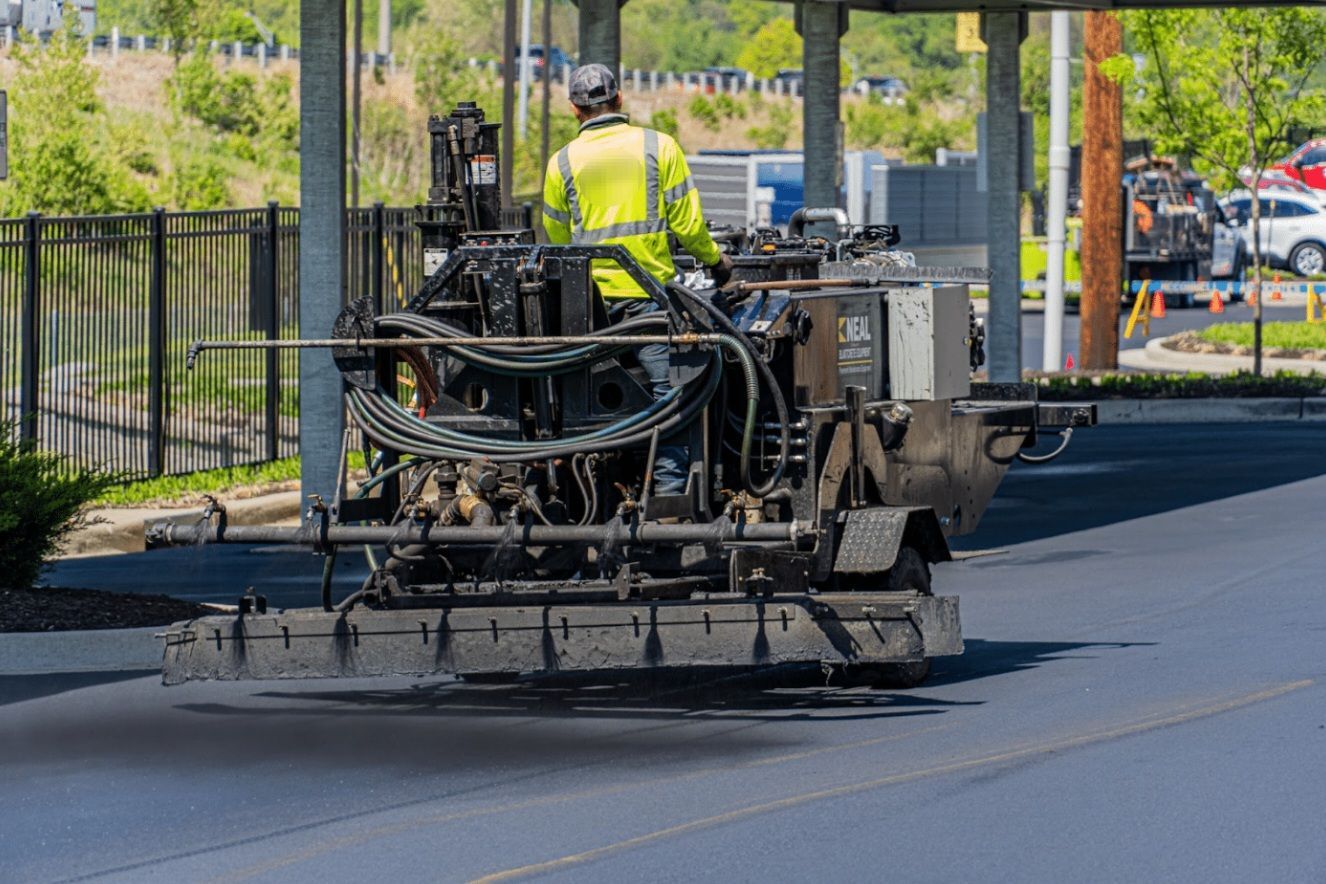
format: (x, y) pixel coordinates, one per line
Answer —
(1294, 230)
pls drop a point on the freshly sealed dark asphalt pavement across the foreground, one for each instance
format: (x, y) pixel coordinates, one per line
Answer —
(1141, 699)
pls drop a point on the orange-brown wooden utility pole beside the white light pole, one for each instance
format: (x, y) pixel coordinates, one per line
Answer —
(1103, 194)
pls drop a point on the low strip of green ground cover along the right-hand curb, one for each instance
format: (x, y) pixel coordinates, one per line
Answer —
(1179, 386)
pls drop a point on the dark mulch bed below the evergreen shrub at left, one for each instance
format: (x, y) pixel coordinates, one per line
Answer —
(51, 609)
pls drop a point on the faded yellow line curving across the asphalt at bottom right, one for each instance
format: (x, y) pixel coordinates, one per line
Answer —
(939, 771)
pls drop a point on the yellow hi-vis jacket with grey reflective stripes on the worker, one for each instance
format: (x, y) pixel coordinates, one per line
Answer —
(625, 185)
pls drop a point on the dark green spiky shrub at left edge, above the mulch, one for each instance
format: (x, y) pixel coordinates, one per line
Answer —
(43, 499)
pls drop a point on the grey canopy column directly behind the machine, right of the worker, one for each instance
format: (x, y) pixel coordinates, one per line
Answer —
(821, 25)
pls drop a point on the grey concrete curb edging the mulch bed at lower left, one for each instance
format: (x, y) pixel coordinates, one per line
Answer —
(80, 651)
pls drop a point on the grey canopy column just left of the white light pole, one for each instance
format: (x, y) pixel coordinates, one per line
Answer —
(1003, 161)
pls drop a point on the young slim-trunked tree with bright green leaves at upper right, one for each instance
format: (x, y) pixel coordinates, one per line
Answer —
(1225, 88)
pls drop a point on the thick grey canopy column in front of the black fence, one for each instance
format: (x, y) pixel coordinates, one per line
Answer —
(322, 237)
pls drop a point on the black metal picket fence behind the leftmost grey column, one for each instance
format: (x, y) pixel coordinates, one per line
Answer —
(97, 313)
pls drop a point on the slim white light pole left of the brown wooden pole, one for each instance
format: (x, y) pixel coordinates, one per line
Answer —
(1059, 202)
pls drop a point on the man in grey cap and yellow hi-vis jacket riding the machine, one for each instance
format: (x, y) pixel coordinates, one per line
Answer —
(629, 186)
